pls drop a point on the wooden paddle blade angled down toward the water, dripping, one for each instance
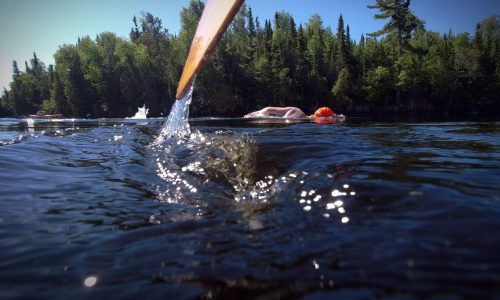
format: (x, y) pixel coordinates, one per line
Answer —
(213, 23)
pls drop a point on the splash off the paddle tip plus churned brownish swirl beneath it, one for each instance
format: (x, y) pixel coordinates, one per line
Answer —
(188, 161)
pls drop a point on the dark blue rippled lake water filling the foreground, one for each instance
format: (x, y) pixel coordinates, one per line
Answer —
(239, 209)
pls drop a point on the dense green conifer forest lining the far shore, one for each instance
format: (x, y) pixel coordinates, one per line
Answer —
(403, 68)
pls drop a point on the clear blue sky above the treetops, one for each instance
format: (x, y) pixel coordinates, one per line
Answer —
(40, 26)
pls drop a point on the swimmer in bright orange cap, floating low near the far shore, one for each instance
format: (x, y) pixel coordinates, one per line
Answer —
(290, 113)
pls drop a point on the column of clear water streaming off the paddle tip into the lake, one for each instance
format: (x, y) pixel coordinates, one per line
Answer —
(177, 121)
